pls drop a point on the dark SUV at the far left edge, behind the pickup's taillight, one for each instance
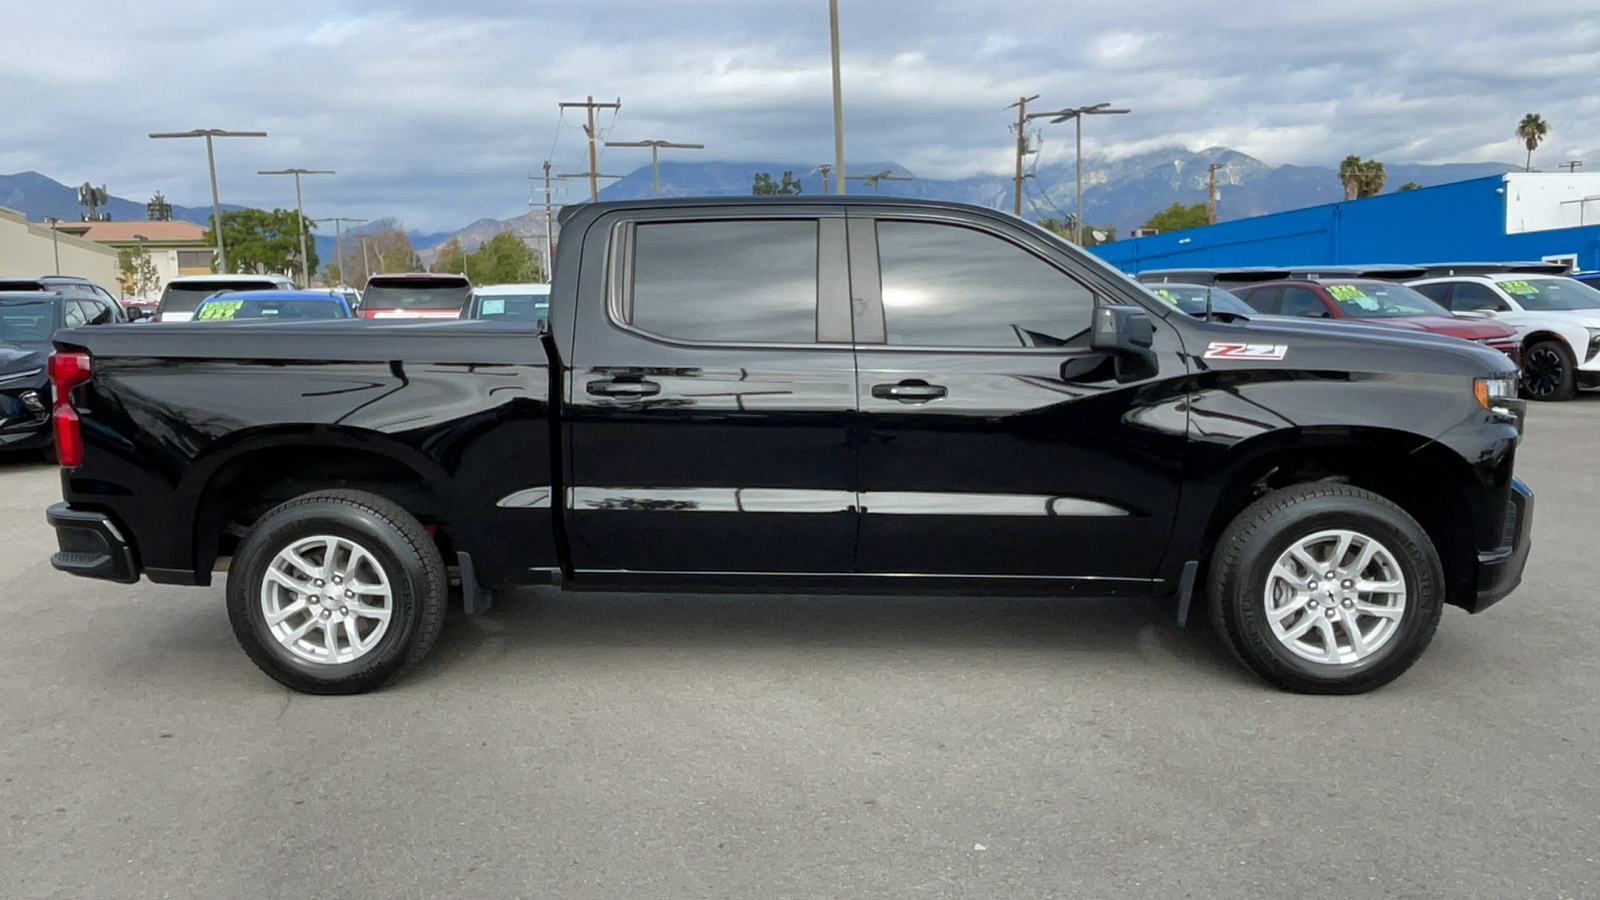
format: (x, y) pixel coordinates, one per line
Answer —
(28, 323)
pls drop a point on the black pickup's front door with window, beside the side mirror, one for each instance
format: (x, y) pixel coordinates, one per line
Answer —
(994, 443)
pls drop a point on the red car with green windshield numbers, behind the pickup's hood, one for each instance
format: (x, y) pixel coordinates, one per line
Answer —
(1375, 303)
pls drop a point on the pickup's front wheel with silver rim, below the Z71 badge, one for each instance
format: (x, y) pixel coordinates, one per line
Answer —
(1262, 590)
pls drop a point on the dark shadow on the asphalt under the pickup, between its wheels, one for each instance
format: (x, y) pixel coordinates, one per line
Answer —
(538, 625)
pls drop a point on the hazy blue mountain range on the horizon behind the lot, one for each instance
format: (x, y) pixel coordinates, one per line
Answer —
(1122, 193)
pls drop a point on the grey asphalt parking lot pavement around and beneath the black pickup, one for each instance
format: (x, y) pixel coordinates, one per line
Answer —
(801, 747)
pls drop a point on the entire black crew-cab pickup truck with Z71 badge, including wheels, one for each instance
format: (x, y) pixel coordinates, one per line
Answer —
(793, 396)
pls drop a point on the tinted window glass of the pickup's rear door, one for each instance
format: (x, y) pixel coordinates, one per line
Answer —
(726, 281)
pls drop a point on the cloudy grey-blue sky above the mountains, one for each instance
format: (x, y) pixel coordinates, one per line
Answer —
(438, 111)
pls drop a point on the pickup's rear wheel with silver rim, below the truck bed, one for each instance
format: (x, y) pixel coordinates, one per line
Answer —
(346, 641)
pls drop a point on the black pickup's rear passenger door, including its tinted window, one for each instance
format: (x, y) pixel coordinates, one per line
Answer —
(711, 395)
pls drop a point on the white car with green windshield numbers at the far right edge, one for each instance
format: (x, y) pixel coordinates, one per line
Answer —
(1558, 324)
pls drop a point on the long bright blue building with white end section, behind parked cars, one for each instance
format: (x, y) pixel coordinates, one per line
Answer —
(1486, 220)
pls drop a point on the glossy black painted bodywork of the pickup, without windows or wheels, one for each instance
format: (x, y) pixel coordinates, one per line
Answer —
(724, 475)
